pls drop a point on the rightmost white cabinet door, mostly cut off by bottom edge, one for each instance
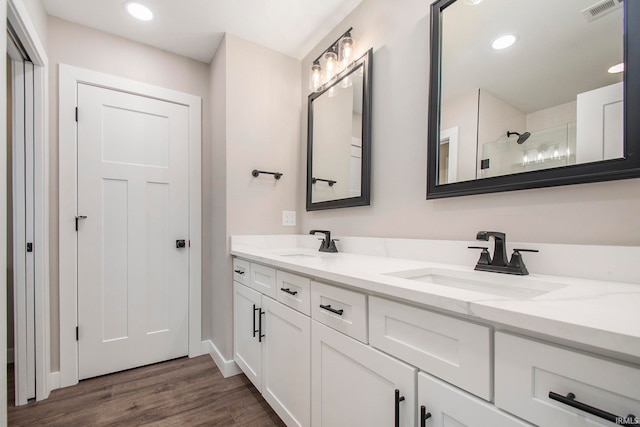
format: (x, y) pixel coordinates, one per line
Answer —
(448, 406)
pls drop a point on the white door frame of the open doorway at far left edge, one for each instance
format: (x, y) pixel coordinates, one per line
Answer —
(18, 16)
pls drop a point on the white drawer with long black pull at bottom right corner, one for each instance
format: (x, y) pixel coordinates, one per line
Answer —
(527, 371)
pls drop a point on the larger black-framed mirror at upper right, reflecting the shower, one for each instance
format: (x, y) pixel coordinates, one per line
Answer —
(550, 108)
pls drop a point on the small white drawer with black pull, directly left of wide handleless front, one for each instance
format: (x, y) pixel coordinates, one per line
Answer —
(340, 309)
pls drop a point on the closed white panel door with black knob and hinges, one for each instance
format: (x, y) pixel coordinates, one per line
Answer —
(133, 190)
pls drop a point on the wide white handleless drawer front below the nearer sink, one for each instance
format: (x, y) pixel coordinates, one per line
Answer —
(451, 349)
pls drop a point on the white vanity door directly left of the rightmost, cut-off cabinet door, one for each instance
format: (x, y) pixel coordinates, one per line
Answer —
(354, 385)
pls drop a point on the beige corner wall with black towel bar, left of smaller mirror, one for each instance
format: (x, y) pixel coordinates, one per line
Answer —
(256, 128)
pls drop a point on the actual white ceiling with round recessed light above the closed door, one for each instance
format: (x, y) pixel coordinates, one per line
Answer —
(194, 28)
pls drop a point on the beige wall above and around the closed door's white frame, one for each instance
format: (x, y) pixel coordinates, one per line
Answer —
(83, 47)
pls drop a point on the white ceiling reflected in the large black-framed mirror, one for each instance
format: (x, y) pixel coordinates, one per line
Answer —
(559, 53)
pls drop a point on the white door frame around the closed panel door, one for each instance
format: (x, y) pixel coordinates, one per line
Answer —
(69, 78)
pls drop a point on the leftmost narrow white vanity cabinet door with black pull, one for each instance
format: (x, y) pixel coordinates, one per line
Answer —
(246, 318)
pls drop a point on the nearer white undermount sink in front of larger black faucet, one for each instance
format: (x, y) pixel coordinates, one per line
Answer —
(496, 284)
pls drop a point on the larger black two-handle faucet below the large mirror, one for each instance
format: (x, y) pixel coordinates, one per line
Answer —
(498, 263)
